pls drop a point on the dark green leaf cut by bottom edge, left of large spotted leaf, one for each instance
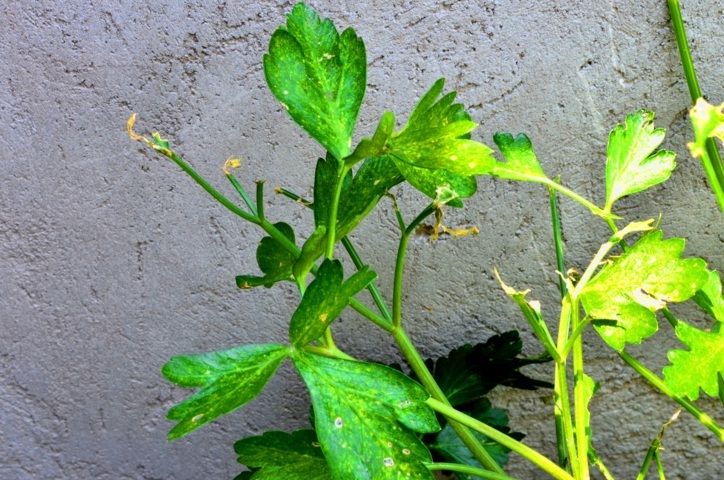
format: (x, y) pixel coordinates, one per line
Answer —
(295, 456)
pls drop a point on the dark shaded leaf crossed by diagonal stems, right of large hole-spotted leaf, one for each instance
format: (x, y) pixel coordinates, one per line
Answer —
(450, 448)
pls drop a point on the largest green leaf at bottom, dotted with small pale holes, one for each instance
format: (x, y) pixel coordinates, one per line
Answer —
(366, 416)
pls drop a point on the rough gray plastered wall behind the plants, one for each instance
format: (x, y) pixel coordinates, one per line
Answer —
(112, 260)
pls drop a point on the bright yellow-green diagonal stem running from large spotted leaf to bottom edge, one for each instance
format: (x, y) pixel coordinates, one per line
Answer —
(499, 437)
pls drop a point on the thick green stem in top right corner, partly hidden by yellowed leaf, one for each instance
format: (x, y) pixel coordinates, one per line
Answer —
(711, 160)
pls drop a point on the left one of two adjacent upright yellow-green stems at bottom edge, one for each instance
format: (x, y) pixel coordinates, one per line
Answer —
(560, 388)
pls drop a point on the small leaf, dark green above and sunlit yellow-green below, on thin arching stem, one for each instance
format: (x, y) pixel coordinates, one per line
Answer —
(522, 164)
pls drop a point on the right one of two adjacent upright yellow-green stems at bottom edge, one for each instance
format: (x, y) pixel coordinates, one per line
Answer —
(579, 394)
